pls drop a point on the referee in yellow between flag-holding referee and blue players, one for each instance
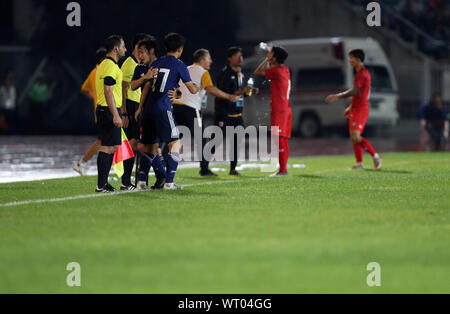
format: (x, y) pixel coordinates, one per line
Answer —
(130, 103)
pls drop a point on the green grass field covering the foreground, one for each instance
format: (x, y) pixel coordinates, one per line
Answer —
(314, 231)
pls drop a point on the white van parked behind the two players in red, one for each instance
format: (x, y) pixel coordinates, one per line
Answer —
(320, 67)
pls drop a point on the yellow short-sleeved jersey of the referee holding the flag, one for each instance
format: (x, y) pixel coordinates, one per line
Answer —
(109, 73)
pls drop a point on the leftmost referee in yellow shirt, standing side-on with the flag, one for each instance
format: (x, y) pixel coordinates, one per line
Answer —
(108, 84)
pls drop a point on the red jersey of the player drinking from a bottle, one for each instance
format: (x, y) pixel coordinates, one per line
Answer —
(280, 87)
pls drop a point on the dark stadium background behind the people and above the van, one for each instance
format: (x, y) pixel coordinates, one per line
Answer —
(34, 33)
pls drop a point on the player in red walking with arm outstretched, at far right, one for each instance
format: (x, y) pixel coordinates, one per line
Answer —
(358, 111)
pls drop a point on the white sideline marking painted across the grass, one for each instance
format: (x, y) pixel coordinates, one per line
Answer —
(87, 196)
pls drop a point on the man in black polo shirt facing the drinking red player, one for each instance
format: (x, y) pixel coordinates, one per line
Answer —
(231, 81)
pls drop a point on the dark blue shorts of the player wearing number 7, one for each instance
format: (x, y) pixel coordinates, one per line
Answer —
(159, 127)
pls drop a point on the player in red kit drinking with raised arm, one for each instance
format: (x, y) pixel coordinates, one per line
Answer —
(280, 90)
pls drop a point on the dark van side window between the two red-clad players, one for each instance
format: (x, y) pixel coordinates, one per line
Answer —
(318, 79)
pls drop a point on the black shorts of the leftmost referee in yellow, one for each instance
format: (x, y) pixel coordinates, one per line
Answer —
(108, 133)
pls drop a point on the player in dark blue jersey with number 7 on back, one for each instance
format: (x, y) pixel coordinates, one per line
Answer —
(158, 124)
